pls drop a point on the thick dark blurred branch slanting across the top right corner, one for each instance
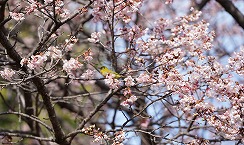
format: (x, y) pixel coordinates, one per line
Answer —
(231, 9)
